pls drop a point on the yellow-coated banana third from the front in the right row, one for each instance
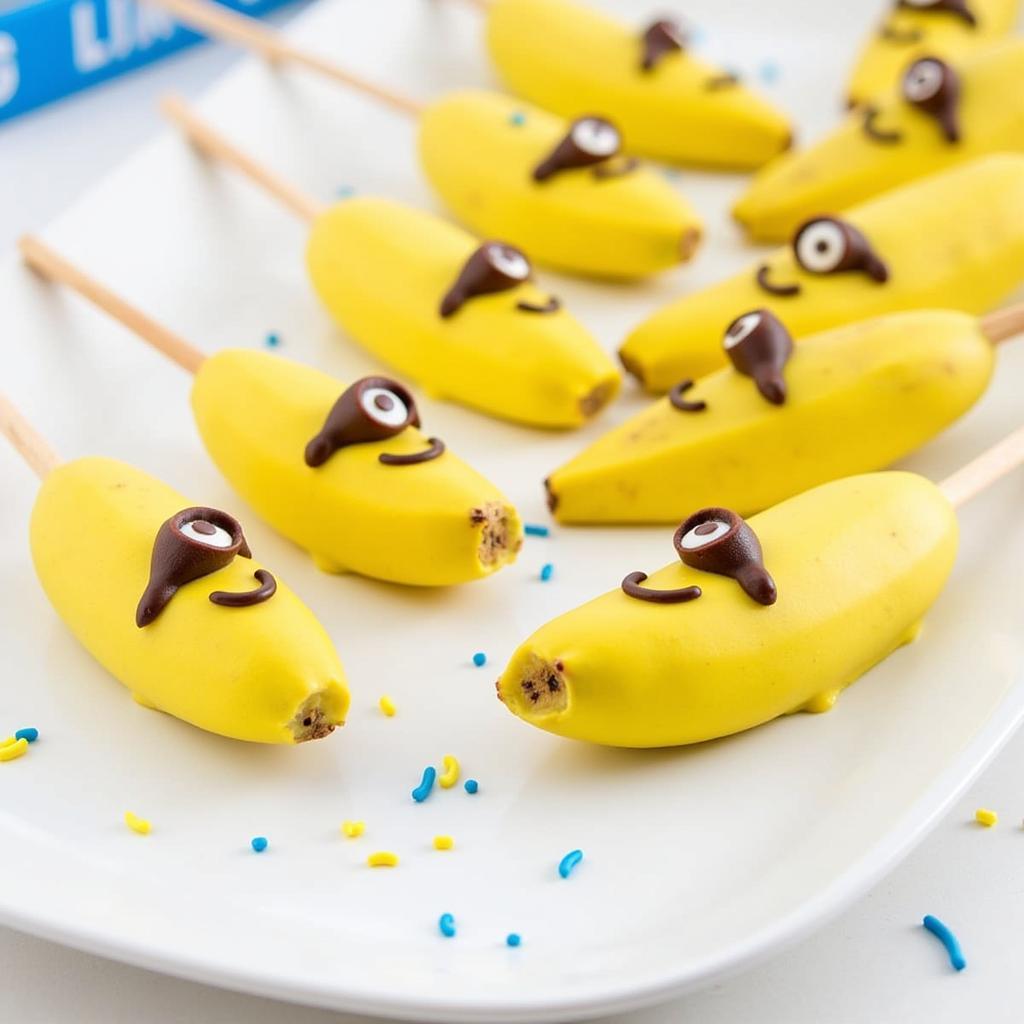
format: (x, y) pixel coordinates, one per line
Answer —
(954, 240)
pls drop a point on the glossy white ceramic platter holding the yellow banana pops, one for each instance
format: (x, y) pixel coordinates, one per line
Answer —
(697, 861)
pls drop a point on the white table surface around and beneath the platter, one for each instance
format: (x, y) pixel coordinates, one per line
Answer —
(873, 964)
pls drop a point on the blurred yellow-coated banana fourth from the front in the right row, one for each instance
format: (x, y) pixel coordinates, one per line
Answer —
(872, 153)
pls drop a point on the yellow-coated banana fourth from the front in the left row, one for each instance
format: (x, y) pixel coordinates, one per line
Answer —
(480, 151)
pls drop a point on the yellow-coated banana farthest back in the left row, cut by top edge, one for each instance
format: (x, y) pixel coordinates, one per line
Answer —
(682, 110)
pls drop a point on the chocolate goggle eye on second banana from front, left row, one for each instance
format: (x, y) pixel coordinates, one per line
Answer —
(371, 410)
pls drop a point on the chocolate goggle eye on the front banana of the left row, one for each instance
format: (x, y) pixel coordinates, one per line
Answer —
(192, 544)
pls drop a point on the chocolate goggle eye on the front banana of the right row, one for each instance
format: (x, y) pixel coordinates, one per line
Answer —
(716, 540)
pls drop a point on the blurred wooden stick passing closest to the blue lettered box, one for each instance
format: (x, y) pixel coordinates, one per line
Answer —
(212, 20)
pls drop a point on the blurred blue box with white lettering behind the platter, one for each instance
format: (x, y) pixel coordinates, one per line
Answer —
(53, 49)
